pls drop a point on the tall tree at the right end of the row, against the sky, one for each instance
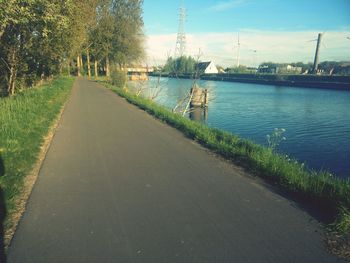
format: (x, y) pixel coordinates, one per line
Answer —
(118, 36)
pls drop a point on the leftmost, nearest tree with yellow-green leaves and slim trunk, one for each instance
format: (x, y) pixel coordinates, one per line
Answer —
(28, 33)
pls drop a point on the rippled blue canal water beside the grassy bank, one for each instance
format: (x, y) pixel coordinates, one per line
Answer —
(317, 121)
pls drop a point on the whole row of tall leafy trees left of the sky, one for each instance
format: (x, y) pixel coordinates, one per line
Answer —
(42, 38)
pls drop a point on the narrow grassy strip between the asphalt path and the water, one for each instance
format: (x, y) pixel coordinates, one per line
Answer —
(318, 189)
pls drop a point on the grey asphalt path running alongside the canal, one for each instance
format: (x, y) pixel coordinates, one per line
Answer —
(119, 186)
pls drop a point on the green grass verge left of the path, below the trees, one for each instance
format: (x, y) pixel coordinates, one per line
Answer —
(25, 120)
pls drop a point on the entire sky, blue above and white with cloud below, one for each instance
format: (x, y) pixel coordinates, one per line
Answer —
(269, 30)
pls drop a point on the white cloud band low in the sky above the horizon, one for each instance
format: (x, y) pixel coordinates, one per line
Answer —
(256, 47)
